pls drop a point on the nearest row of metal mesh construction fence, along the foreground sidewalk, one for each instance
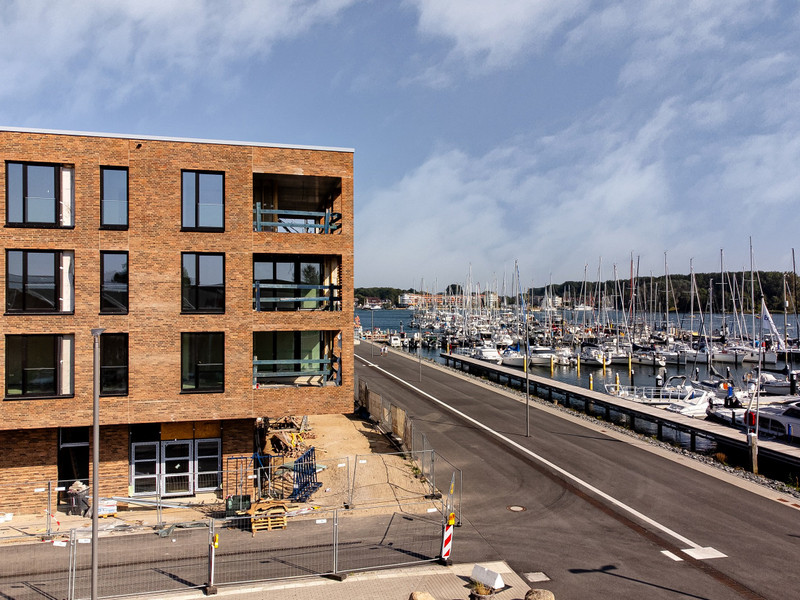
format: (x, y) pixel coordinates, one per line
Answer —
(135, 560)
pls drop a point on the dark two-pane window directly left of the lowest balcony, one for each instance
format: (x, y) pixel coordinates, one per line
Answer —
(202, 362)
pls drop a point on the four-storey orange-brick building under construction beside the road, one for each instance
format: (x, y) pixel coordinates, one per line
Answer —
(222, 275)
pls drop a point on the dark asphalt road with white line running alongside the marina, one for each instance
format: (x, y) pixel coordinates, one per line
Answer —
(604, 517)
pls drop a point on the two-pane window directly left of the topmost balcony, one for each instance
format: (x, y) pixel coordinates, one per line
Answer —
(203, 200)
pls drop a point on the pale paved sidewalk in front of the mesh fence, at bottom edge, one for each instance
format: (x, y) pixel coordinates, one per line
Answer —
(443, 583)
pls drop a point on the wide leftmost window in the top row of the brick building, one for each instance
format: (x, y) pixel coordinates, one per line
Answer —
(39, 195)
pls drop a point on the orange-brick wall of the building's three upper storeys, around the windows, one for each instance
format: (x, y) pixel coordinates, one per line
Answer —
(154, 243)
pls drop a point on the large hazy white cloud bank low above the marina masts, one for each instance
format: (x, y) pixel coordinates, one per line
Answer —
(608, 185)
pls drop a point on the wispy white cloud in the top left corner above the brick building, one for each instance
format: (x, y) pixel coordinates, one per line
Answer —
(95, 52)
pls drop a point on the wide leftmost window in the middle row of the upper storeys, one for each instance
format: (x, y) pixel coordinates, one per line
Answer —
(39, 281)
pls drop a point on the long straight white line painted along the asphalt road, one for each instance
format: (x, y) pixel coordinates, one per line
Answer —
(695, 550)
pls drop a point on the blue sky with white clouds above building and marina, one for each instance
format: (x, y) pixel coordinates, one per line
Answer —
(566, 136)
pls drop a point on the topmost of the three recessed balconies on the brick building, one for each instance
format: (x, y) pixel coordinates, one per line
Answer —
(296, 203)
